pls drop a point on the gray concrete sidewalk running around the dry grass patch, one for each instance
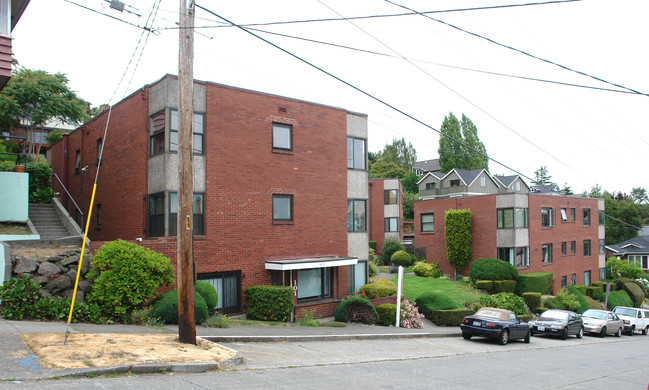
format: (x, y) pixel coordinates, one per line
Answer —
(18, 363)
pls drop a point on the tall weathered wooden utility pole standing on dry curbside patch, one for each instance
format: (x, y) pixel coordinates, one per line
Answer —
(186, 322)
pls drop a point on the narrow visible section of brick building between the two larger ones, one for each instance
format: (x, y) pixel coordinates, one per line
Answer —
(385, 211)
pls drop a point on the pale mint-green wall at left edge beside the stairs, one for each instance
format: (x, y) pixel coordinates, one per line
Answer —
(14, 196)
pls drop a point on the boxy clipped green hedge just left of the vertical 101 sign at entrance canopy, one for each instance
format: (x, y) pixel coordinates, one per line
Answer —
(269, 303)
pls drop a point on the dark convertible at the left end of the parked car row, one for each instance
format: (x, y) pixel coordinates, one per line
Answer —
(502, 325)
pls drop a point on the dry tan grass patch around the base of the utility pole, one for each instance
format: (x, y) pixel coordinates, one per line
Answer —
(111, 349)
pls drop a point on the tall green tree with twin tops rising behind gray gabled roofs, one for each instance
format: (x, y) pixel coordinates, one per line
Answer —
(459, 145)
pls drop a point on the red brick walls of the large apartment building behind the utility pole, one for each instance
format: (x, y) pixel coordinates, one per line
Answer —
(242, 173)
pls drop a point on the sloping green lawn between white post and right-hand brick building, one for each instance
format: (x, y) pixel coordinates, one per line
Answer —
(414, 286)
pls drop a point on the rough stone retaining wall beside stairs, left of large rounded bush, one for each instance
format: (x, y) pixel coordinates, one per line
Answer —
(56, 274)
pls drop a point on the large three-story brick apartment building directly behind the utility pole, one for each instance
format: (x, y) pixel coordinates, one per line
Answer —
(274, 201)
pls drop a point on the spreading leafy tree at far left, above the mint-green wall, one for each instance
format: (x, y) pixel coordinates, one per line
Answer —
(36, 97)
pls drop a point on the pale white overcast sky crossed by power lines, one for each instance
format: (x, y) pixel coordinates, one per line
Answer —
(423, 68)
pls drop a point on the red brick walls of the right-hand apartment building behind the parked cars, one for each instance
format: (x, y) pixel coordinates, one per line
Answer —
(485, 234)
